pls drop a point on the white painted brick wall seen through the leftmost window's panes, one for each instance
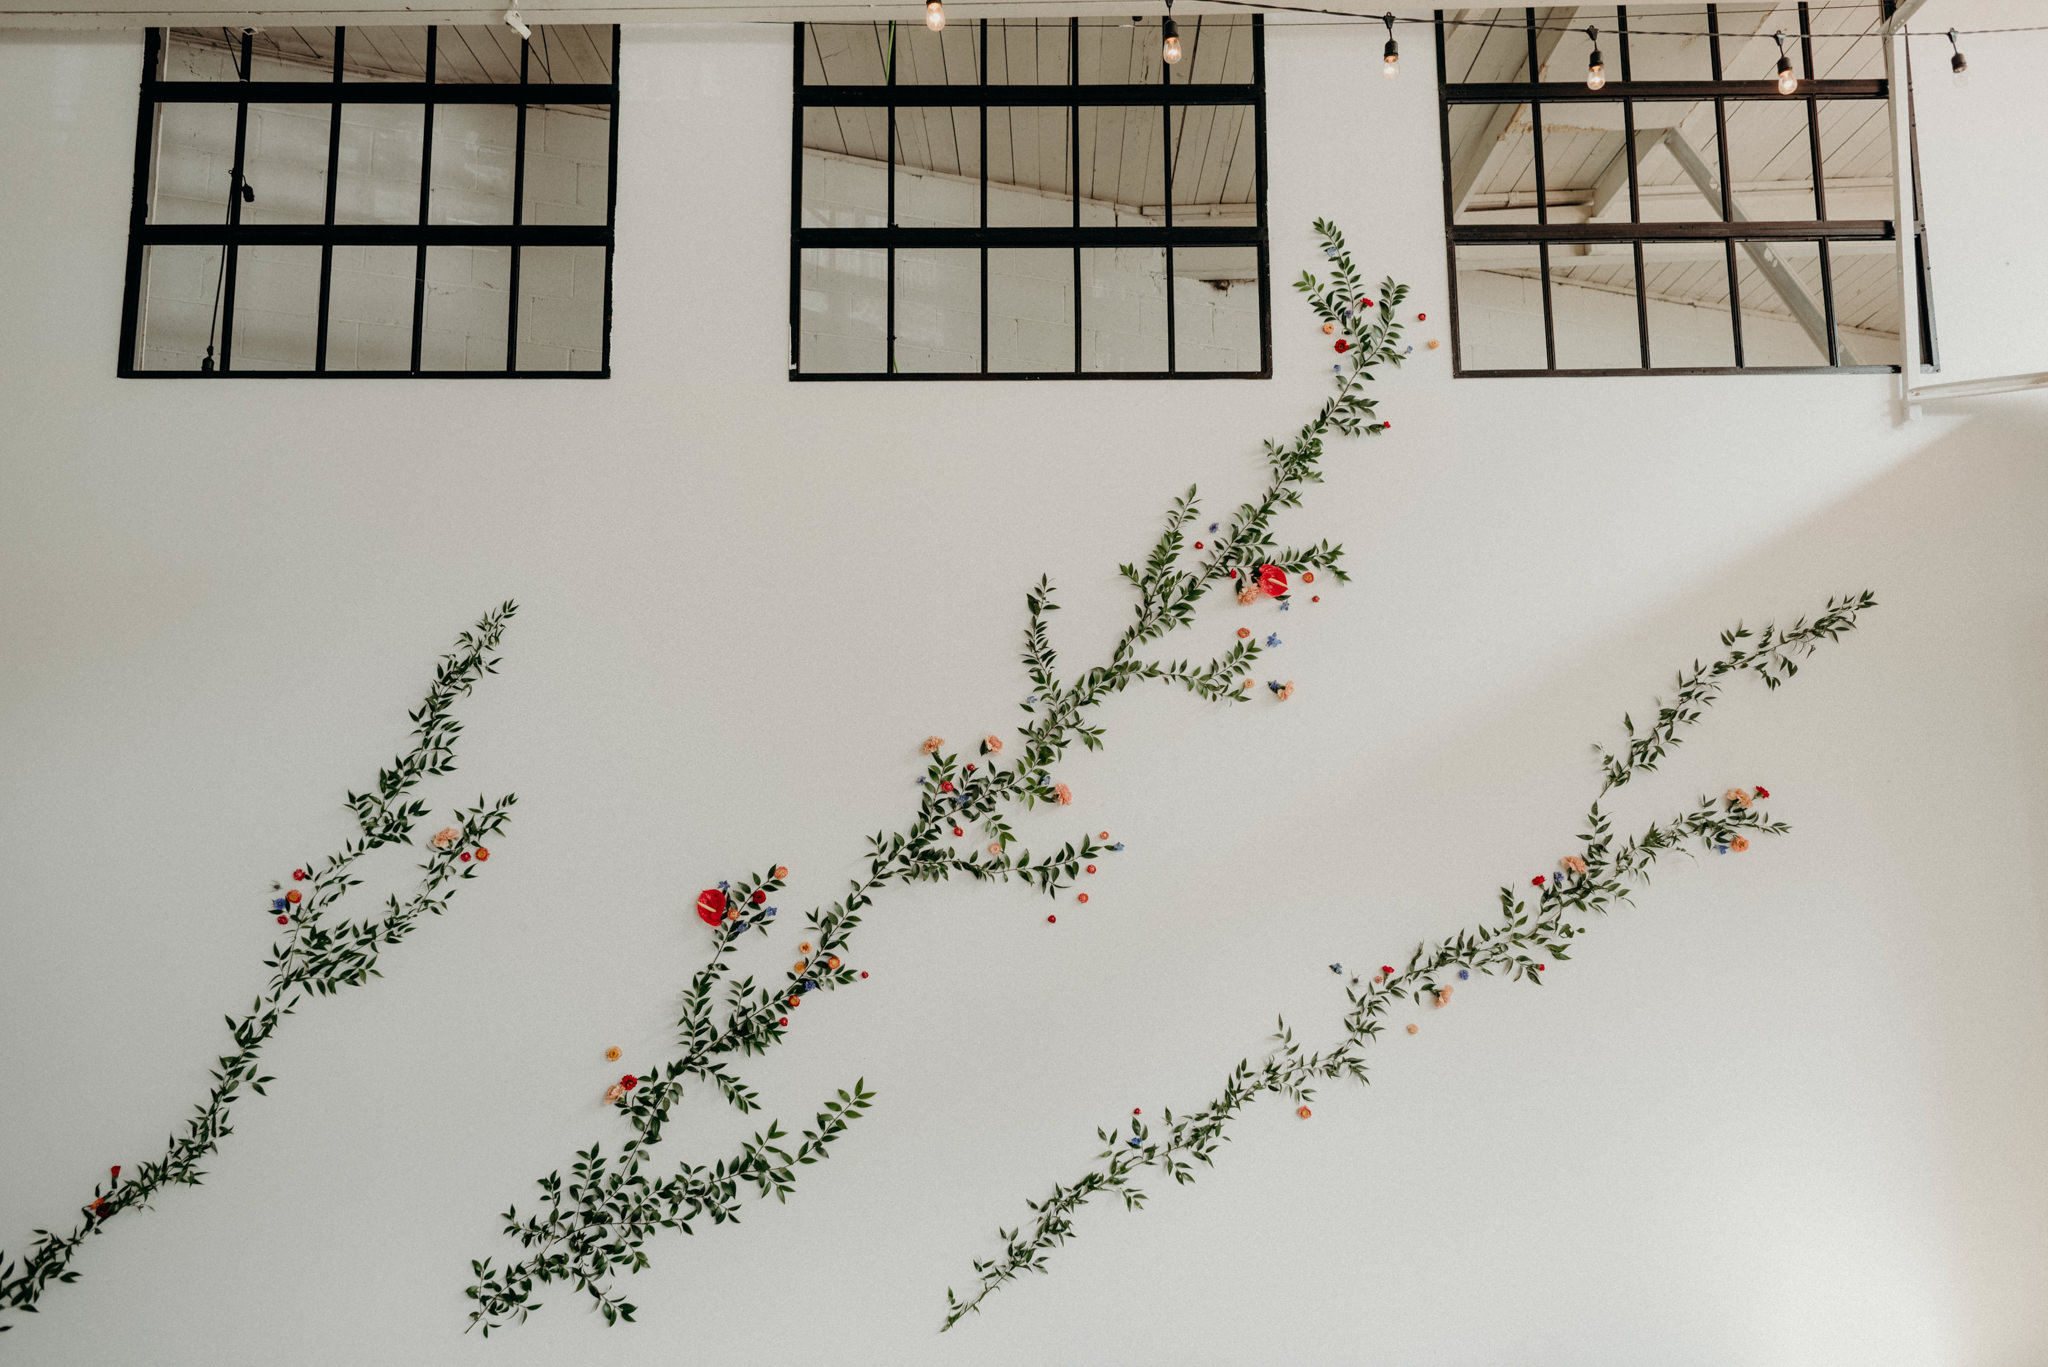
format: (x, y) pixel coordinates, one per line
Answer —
(562, 290)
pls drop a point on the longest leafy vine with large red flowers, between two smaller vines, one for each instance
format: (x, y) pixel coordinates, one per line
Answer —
(597, 1225)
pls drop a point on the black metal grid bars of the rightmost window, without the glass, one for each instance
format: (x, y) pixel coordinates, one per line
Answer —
(1727, 231)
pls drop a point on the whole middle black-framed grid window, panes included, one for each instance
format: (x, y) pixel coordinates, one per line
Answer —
(1029, 200)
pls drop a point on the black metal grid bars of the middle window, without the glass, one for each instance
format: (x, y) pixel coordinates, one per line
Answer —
(1072, 97)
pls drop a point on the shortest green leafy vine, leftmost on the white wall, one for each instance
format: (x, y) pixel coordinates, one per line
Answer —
(318, 956)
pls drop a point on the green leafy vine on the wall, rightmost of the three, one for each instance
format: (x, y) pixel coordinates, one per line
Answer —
(1605, 874)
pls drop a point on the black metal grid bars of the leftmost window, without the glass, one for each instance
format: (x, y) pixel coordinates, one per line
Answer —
(234, 235)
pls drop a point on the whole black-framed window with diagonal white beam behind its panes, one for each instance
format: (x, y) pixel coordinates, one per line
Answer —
(1687, 216)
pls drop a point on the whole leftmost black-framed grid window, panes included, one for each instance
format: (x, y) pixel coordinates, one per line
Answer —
(419, 202)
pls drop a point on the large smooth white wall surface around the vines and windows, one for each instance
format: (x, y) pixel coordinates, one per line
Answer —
(1791, 1112)
